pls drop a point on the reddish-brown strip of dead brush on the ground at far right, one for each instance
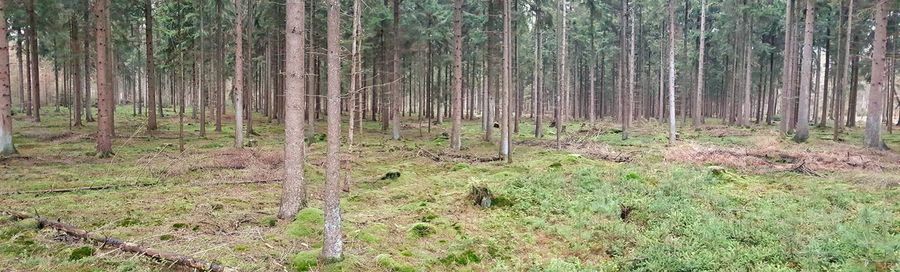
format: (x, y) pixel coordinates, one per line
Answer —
(775, 159)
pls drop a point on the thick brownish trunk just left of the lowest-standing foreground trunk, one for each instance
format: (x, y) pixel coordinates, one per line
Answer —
(293, 196)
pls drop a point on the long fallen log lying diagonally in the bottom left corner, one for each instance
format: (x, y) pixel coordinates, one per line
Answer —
(107, 242)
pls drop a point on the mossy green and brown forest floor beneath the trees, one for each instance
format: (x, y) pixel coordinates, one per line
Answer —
(722, 198)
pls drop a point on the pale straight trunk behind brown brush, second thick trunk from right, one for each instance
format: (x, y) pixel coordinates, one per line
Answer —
(805, 74)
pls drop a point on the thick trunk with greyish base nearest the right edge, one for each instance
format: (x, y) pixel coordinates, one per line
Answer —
(876, 91)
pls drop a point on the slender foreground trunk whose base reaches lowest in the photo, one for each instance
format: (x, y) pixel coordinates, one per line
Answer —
(332, 250)
